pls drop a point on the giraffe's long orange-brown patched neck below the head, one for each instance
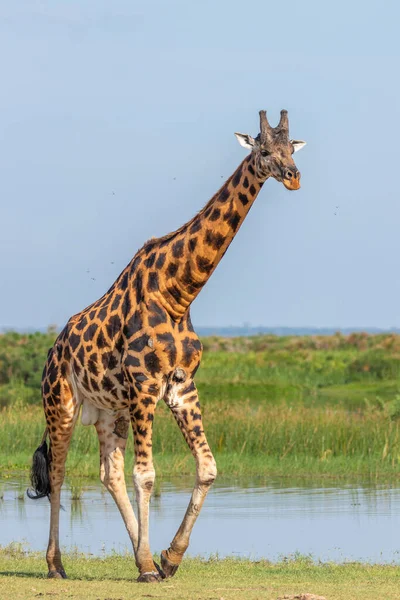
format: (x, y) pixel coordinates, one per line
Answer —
(185, 259)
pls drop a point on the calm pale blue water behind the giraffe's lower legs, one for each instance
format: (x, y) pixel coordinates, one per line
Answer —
(330, 522)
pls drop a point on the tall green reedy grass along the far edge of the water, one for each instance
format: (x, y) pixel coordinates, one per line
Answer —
(248, 438)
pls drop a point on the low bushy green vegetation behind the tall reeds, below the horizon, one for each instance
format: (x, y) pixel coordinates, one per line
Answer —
(260, 368)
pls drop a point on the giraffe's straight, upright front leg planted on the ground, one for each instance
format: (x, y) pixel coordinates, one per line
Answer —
(142, 409)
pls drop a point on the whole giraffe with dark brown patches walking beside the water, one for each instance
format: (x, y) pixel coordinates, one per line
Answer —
(136, 345)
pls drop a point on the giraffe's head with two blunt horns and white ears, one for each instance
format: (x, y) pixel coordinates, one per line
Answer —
(272, 151)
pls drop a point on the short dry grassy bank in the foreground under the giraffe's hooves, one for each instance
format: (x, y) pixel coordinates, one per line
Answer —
(22, 578)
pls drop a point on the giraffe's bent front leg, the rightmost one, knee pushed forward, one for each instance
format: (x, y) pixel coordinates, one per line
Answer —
(185, 406)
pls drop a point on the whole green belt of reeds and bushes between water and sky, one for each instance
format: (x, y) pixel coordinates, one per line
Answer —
(282, 406)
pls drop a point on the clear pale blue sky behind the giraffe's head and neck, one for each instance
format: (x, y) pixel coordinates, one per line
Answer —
(117, 124)
